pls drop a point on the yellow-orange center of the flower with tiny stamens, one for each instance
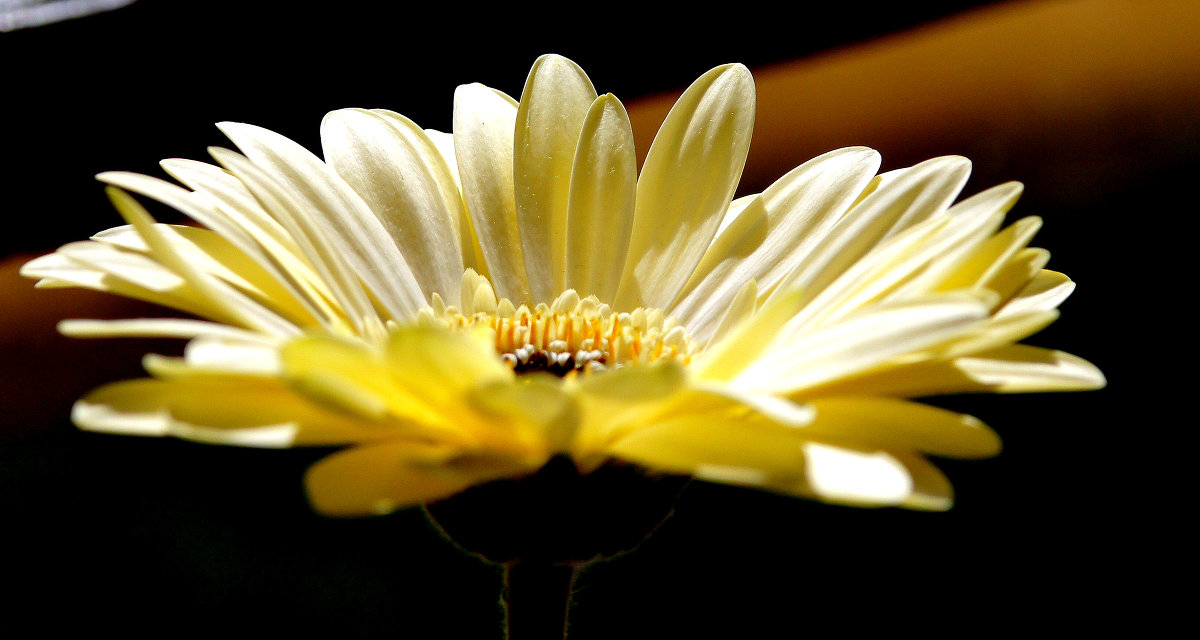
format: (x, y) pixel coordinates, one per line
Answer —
(569, 336)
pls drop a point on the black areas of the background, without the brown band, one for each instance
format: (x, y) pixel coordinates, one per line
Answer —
(142, 537)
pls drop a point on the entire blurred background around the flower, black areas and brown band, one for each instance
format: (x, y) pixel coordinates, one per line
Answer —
(1094, 105)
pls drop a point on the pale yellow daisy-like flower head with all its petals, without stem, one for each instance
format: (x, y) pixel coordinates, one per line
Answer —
(460, 309)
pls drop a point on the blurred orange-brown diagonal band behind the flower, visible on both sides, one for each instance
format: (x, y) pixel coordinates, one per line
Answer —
(1081, 94)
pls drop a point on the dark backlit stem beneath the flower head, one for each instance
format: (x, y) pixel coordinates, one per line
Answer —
(537, 596)
